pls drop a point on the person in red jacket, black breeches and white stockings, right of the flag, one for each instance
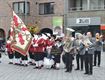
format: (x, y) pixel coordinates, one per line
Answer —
(39, 49)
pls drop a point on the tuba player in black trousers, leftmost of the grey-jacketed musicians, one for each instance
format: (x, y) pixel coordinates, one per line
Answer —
(69, 51)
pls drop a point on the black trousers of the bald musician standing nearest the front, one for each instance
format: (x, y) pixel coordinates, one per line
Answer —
(88, 63)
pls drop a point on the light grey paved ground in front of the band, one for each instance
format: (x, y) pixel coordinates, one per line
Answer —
(13, 72)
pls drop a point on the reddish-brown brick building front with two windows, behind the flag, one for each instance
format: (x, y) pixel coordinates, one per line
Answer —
(40, 12)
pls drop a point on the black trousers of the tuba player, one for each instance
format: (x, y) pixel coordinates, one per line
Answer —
(69, 59)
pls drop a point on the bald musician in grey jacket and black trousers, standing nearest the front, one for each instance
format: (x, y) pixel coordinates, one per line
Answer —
(89, 51)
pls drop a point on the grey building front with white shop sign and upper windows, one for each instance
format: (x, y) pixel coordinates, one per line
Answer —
(85, 15)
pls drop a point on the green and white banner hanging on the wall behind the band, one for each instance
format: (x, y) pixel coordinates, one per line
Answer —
(57, 25)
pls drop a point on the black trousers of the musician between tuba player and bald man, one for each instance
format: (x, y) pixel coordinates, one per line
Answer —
(80, 61)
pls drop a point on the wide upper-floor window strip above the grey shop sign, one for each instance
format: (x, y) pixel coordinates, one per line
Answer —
(86, 4)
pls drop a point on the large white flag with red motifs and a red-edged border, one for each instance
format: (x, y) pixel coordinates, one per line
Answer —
(20, 36)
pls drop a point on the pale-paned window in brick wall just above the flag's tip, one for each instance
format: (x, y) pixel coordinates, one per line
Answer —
(21, 7)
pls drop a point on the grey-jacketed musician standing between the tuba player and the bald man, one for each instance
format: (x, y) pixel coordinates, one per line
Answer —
(79, 50)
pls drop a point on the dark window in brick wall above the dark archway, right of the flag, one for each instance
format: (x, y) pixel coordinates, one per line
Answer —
(46, 8)
